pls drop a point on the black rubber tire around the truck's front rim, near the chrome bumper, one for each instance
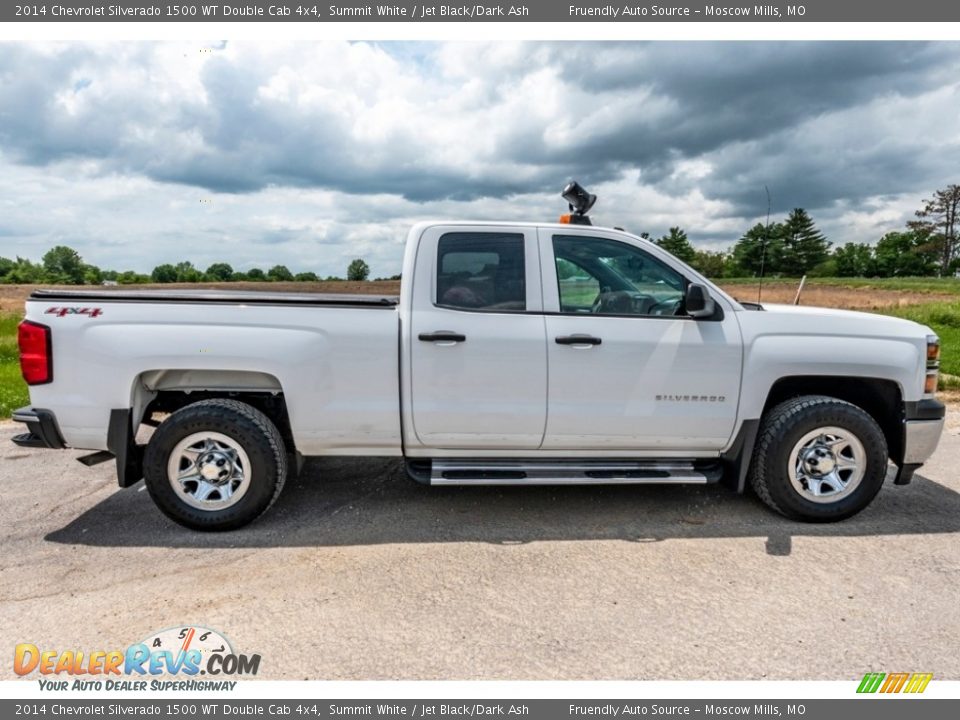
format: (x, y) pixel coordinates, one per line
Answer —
(784, 426)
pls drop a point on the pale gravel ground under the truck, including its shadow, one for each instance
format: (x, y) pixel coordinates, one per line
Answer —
(358, 573)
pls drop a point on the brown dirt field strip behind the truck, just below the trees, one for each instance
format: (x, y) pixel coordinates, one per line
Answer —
(12, 297)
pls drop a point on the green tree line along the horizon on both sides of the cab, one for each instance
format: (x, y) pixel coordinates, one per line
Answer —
(927, 246)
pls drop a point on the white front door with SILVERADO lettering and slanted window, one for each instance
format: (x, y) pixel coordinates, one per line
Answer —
(628, 369)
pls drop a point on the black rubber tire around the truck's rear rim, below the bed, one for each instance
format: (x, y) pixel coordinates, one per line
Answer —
(249, 429)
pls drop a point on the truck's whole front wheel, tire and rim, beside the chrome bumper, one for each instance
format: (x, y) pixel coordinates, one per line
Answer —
(818, 459)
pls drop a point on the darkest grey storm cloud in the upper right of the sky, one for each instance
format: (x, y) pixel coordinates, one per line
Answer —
(737, 91)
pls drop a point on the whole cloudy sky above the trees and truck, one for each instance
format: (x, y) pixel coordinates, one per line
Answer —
(311, 154)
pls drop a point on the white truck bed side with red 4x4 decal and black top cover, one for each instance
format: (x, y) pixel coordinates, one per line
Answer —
(335, 358)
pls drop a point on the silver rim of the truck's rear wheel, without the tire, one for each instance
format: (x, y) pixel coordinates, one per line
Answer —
(209, 471)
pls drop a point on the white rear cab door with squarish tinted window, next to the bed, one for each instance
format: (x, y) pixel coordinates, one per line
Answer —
(477, 342)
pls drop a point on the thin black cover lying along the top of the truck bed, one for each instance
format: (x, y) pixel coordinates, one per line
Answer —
(223, 297)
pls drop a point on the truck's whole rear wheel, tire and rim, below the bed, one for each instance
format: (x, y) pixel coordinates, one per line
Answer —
(215, 465)
